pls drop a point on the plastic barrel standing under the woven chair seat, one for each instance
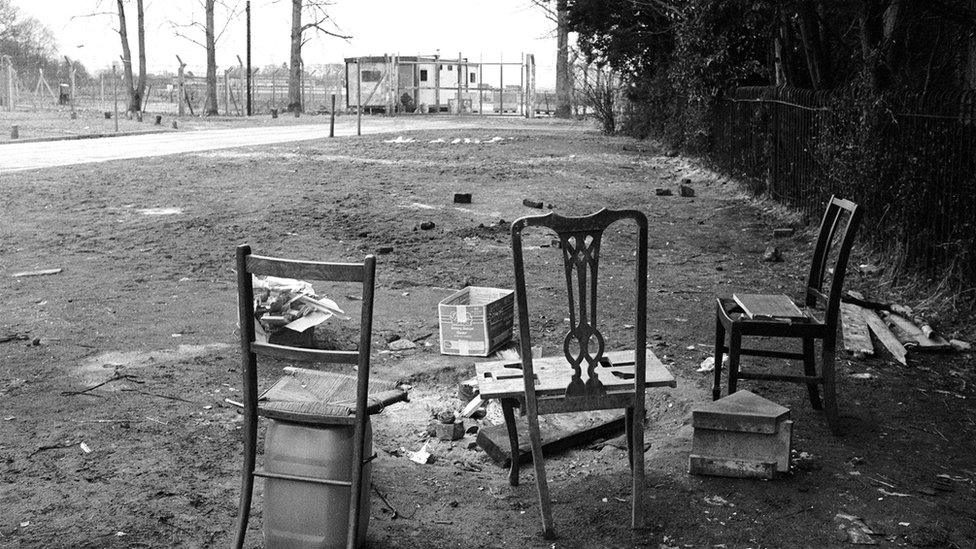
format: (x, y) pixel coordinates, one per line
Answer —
(304, 514)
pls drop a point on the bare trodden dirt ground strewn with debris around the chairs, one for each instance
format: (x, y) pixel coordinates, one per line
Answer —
(153, 297)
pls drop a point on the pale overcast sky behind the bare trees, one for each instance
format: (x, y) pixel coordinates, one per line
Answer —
(477, 28)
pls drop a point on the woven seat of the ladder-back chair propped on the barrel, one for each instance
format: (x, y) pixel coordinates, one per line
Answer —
(323, 398)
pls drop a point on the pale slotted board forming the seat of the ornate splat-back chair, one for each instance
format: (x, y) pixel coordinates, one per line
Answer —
(503, 379)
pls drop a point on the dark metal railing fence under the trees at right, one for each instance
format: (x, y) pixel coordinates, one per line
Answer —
(909, 160)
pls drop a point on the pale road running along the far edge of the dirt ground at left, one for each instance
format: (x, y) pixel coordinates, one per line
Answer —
(15, 157)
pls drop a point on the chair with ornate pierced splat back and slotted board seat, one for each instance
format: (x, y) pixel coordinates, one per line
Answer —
(585, 378)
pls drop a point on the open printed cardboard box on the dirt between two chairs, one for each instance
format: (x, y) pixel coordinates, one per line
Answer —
(475, 321)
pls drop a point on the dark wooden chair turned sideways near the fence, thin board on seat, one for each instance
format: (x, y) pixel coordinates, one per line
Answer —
(837, 231)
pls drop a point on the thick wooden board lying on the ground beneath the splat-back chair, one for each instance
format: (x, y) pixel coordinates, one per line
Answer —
(559, 432)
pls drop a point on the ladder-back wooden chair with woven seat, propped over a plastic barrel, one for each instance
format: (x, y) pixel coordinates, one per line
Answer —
(305, 396)
